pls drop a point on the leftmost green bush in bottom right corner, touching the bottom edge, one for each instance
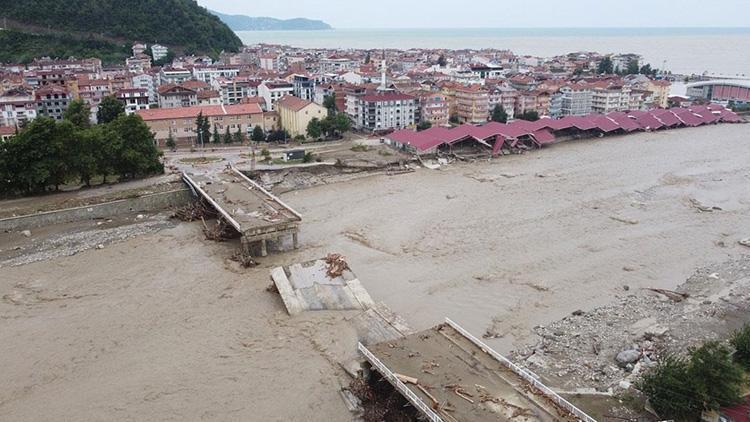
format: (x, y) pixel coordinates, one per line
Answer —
(670, 389)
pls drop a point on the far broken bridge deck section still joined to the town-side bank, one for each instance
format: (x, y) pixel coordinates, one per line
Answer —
(251, 210)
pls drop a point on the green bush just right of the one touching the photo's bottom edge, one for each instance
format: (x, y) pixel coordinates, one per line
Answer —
(719, 381)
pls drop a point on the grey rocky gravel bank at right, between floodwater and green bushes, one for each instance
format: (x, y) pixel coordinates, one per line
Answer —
(604, 350)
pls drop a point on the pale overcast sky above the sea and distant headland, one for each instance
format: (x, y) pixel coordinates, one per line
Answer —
(497, 13)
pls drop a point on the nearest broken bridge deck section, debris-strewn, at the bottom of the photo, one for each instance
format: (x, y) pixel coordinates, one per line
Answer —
(464, 382)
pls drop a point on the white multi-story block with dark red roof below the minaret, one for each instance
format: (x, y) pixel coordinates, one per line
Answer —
(383, 111)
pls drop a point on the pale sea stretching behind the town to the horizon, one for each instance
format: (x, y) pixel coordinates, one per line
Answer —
(717, 51)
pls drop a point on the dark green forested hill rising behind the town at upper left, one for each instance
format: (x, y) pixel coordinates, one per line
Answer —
(181, 24)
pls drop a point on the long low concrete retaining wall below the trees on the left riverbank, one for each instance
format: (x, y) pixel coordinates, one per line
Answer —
(146, 203)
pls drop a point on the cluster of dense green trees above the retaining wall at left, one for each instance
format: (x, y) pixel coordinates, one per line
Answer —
(45, 153)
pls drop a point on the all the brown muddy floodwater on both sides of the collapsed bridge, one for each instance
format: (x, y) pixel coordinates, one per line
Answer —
(164, 327)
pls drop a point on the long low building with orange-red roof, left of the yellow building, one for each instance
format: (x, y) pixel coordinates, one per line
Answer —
(180, 122)
